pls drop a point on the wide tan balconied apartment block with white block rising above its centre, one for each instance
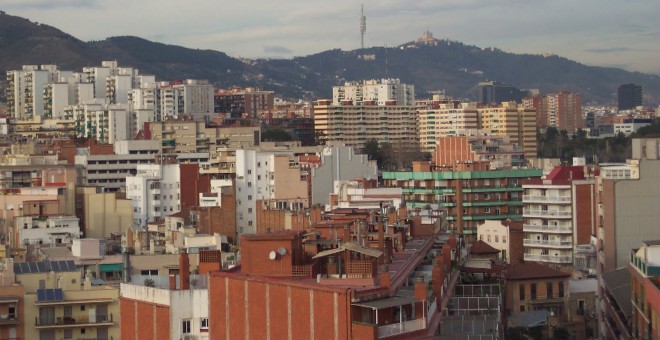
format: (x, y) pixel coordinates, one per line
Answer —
(383, 110)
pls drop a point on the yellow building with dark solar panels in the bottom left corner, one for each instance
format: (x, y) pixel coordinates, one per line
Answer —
(59, 306)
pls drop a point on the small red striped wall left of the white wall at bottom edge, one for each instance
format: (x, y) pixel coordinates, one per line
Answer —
(139, 318)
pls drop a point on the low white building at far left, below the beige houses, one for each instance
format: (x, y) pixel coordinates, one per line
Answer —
(53, 230)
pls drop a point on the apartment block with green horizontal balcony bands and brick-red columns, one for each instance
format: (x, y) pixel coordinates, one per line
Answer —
(468, 191)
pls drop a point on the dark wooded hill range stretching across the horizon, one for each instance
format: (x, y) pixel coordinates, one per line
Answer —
(442, 65)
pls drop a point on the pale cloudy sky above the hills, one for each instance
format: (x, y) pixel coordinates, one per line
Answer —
(611, 33)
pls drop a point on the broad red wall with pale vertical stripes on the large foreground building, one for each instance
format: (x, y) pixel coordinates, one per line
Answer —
(268, 311)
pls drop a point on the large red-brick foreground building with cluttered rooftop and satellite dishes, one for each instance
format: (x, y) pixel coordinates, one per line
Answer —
(335, 292)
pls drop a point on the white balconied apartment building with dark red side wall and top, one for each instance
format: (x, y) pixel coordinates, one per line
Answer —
(559, 215)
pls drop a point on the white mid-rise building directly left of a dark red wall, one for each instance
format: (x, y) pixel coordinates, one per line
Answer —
(155, 191)
